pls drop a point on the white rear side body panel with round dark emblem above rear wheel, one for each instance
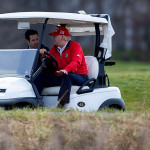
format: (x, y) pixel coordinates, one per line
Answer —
(93, 100)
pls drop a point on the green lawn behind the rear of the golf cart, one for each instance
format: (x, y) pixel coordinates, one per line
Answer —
(133, 80)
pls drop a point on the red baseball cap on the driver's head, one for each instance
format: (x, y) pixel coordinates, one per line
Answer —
(60, 30)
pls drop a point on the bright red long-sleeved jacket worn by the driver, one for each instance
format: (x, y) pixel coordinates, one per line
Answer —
(72, 58)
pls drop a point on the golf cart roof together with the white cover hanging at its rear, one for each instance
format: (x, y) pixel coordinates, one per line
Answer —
(79, 24)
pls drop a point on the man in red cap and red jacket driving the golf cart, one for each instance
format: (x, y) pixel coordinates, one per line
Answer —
(72, 69)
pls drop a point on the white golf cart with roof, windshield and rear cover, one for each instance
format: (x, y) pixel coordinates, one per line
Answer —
(17, 74)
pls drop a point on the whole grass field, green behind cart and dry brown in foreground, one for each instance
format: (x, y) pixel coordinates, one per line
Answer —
(53, 129)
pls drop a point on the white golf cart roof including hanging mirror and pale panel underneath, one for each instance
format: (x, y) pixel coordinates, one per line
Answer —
(78, 24)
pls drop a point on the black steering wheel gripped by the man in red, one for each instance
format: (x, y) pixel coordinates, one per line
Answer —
(51, 63)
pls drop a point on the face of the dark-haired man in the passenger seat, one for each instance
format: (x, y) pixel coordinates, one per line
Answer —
(34, 41)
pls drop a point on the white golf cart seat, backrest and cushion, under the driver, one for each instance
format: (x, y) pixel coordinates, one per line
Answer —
(93, 69)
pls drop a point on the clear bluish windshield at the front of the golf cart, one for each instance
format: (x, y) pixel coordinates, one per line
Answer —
(16, 62)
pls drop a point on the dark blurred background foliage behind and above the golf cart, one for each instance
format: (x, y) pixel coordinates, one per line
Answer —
(130, 19)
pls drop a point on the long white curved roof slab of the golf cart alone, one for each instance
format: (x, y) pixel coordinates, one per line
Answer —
(71, 19)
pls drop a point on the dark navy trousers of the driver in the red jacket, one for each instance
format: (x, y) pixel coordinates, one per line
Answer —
(65, 82)
